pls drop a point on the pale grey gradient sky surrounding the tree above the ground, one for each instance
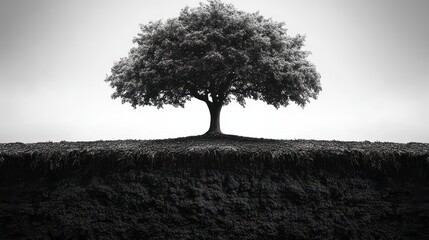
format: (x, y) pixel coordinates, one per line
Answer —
(373, 57)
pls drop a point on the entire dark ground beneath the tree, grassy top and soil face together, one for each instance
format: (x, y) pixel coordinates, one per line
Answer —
(223, 187)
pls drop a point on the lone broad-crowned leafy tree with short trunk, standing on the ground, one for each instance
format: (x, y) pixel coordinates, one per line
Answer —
(215, 53)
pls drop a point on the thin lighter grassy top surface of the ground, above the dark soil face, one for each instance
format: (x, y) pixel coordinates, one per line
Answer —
(223, 142)
